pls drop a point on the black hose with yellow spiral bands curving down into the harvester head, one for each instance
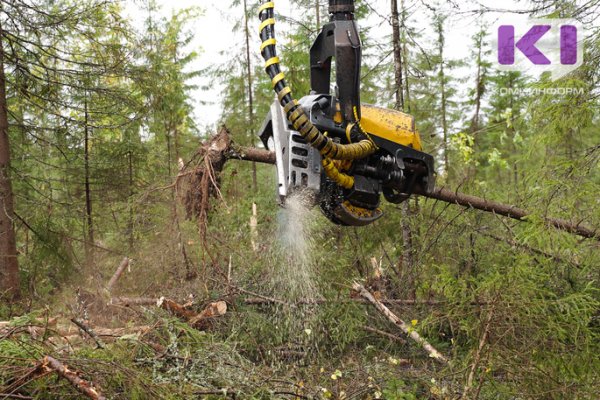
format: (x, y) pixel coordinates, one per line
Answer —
(328, 149)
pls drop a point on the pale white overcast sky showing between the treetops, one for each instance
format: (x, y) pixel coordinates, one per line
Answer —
(214, 34)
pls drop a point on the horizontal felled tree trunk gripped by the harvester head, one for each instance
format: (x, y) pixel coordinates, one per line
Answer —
(445, 195)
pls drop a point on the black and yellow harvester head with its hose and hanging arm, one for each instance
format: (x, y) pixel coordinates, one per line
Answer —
(347, 153)
